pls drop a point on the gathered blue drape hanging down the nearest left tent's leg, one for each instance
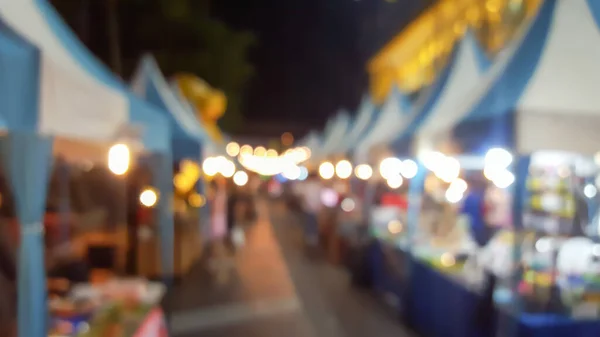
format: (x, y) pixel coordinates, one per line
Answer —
(27, 158)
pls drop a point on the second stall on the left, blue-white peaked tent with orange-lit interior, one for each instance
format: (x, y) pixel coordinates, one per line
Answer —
(188, 138)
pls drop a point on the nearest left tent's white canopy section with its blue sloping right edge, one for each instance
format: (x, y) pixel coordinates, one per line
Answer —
(79, 98)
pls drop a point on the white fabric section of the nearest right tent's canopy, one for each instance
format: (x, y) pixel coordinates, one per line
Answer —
(560, 108)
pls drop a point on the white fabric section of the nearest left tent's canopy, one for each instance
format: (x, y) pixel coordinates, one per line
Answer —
(73, 102)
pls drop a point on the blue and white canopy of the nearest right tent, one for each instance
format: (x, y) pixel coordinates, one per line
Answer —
(542, 93)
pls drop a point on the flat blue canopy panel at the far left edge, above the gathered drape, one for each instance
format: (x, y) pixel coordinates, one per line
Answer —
(19, 81)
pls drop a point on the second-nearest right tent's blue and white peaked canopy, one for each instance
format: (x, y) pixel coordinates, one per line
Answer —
(464, 71)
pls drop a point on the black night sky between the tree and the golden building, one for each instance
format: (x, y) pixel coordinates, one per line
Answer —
(311, 54)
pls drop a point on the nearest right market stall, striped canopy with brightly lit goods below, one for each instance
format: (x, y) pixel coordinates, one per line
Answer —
(538, 101)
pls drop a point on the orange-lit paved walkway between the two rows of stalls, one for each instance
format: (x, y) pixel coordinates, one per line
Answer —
(274, 290)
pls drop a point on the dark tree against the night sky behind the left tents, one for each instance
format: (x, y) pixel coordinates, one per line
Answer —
(180, 33)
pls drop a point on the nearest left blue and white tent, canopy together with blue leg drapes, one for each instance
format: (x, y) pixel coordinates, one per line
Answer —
(53, 88)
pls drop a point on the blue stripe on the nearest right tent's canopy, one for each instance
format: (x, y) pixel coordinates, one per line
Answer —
(505, 93)
